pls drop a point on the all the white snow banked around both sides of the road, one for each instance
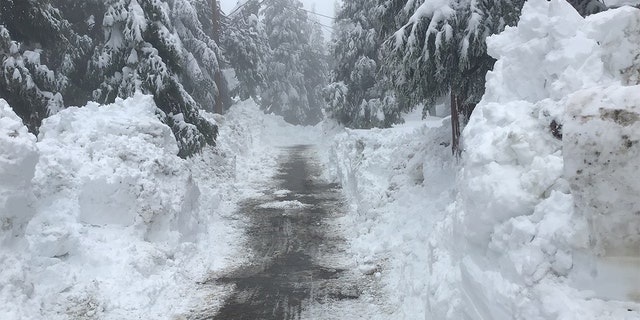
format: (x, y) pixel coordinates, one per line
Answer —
(101, 219)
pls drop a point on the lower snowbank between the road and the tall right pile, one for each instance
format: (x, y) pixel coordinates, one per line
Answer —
(399, 181)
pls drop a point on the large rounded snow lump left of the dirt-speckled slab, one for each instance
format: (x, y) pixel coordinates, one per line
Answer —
(511, 160)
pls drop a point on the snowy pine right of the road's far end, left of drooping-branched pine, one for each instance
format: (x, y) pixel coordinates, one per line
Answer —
(359, 94)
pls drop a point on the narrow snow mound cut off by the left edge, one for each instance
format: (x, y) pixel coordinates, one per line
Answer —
(18, 160)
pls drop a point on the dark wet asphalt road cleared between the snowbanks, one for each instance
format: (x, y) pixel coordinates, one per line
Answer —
(286, 274)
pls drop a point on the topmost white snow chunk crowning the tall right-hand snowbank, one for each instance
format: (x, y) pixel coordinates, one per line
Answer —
(550, 39)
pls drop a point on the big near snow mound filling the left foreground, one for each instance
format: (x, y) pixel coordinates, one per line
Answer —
(112, 211)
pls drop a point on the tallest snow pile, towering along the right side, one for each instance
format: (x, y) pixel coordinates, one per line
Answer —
(525, 251)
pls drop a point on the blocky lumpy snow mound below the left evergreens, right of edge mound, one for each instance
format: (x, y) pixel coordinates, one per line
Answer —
(115, 165)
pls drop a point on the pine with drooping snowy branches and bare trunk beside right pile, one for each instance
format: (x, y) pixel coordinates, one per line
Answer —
(441, 51)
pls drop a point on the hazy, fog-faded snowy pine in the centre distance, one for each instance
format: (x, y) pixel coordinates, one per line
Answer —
(287, 32)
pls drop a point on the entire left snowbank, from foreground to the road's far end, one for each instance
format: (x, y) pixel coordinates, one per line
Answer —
(101, 219)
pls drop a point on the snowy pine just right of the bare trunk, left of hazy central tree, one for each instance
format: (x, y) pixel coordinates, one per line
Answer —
(246, 48)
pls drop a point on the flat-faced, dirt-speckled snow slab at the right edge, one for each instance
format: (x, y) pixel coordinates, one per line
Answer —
(602, 160)
